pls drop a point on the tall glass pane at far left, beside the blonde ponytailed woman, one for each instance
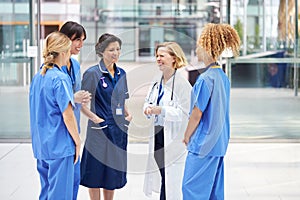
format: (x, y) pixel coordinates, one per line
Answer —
(15, 68)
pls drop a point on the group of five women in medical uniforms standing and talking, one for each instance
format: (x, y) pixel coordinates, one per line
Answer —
(197, 117)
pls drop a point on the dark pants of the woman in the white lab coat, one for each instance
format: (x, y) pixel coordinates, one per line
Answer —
(160, 157)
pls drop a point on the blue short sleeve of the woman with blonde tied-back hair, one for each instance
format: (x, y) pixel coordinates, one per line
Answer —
(63, 94)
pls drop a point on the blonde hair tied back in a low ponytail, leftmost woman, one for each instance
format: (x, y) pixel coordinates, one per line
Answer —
(55, 44)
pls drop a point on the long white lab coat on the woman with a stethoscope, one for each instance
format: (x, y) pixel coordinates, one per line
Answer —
(175, 122)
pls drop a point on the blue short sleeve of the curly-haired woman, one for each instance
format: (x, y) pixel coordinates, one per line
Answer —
(201, 95)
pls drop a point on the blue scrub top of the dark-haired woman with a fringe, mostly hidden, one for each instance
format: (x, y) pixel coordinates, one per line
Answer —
(75, 76)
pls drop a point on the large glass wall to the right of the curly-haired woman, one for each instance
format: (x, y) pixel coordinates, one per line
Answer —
(265, 77)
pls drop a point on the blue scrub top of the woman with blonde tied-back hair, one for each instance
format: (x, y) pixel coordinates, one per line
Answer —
(49, 97)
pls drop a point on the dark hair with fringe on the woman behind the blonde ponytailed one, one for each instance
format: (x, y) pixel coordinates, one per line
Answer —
(71, 28)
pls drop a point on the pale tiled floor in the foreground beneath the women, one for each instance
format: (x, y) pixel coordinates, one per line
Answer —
(258, 171)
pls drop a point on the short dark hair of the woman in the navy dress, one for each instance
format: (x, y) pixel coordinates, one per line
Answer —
(104, 40)
